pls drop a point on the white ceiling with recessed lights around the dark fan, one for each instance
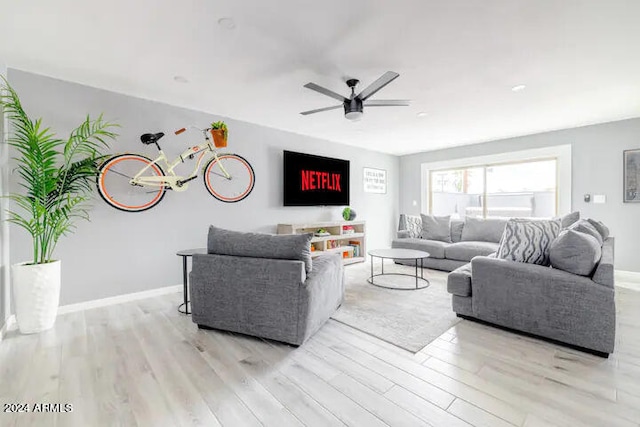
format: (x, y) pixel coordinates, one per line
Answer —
(457, 59)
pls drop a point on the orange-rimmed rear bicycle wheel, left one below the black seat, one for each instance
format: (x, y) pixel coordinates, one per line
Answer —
(115, 187)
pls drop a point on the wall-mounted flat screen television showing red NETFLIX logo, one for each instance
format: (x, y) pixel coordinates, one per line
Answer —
(314, 180)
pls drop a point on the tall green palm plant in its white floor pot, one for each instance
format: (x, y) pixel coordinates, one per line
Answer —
(57, 178)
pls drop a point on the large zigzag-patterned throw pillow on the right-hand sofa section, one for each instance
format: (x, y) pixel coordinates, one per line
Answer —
(528, 240)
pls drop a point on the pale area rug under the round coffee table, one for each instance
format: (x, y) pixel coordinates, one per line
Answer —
(407, 319)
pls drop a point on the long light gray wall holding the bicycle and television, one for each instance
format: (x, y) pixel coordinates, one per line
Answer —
(119, 253)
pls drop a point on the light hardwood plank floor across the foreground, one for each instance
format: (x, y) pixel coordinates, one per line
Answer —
(142, 363)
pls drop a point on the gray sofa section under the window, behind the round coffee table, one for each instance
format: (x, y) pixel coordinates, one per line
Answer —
(471, 238)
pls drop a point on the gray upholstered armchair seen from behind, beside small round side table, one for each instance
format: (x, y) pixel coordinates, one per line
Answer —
(246, 284)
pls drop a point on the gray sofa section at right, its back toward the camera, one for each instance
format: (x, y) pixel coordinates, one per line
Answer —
(574, 309)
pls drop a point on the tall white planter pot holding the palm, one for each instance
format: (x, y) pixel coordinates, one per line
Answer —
(36, 293)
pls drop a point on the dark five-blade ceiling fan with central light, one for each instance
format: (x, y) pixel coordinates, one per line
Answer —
(353, 106)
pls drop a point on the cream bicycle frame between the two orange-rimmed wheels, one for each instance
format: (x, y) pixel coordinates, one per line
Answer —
(170, 179)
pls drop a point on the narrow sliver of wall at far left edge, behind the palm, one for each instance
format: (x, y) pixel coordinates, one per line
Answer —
(4, 227)
